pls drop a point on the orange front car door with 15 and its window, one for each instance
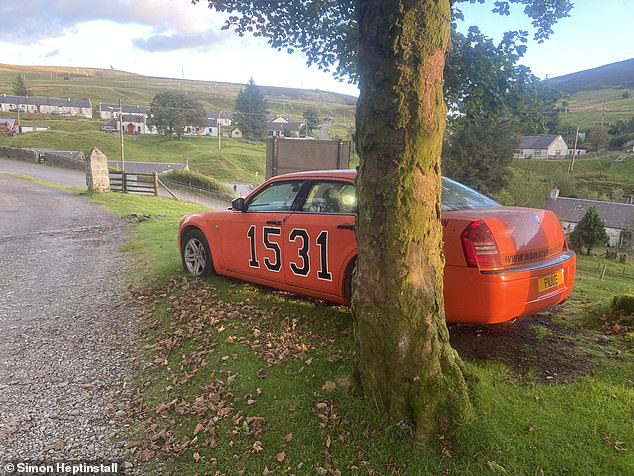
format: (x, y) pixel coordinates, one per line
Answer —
(251, 240)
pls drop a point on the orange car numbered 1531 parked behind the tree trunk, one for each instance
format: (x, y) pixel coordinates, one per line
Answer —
(296, 233)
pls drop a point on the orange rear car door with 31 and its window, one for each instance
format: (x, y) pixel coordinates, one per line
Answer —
(319, 237)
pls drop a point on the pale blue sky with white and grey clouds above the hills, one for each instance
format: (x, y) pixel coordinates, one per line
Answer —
(173, 38)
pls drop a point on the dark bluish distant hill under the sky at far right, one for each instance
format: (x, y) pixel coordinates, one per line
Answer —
(614, 75)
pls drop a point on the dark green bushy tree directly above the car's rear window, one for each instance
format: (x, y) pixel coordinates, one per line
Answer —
(479, 153)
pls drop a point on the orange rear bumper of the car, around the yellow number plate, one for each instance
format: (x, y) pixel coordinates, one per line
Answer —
(489, 297)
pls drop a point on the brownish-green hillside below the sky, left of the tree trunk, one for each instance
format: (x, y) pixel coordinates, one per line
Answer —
(101, 85)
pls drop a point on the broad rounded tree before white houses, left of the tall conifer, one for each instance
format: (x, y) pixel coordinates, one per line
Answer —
(172, 111)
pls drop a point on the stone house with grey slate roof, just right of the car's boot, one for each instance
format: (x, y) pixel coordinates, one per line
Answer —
(618, 217)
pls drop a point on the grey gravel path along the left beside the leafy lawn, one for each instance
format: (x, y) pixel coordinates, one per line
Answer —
(67, 336)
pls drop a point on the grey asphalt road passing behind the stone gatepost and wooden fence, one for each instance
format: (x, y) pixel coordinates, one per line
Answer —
(75, 178)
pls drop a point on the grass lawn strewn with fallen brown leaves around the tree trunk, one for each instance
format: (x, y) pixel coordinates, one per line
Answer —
(244, 380)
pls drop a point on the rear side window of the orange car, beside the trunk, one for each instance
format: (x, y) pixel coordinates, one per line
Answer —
(331, 197)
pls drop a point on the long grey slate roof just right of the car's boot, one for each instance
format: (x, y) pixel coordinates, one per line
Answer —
(615, 215)
